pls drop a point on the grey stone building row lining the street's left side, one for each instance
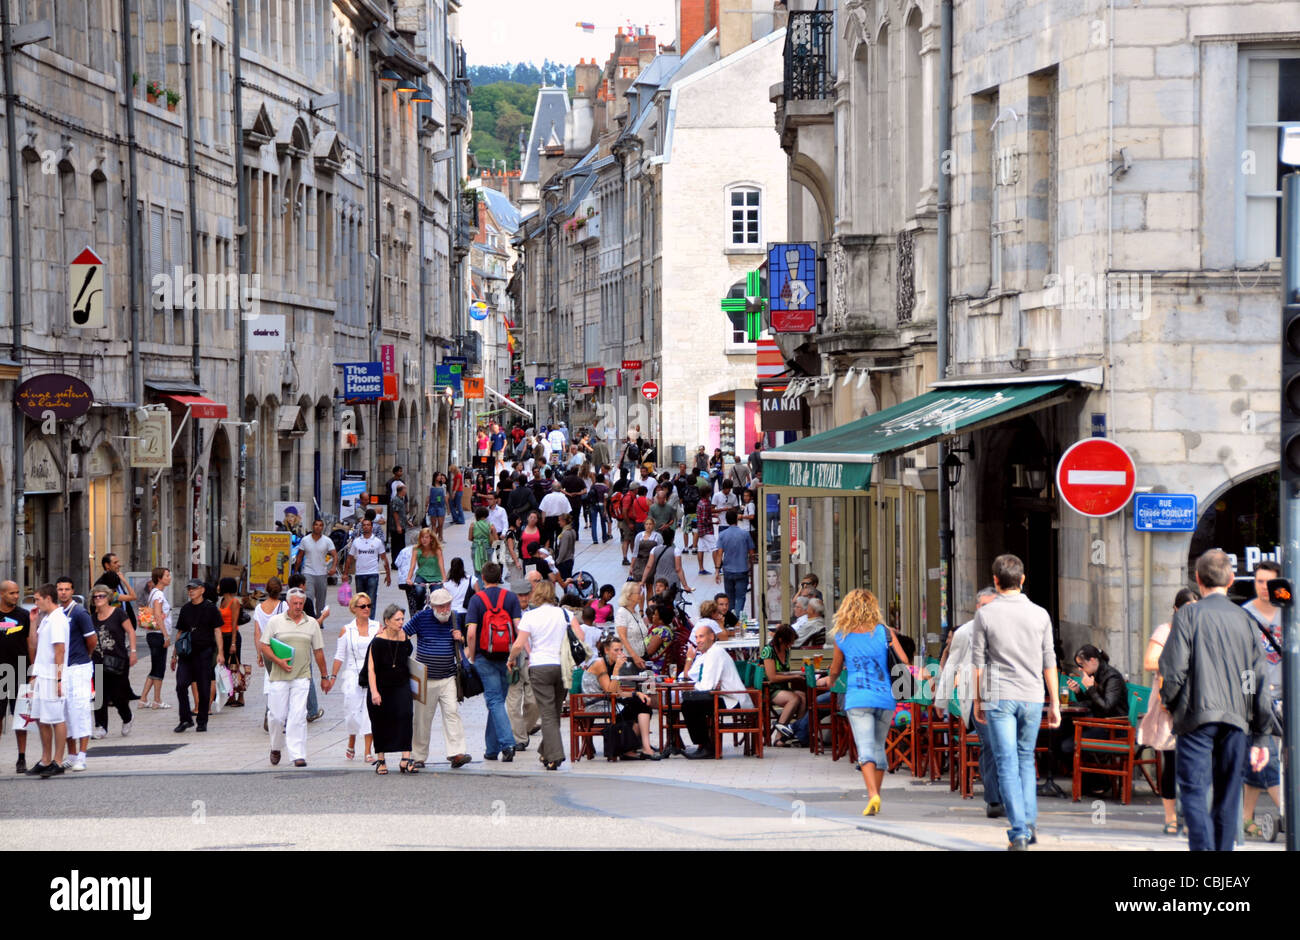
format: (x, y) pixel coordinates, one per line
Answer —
(344, 194)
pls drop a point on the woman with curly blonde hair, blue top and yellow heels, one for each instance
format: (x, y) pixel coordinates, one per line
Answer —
(861, 643)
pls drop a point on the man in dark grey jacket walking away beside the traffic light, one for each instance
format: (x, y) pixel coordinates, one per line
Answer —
(1214, 677)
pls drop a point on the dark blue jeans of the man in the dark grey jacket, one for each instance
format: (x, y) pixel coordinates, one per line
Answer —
(1212, 759)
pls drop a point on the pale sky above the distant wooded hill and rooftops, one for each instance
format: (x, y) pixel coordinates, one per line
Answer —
(499, 32)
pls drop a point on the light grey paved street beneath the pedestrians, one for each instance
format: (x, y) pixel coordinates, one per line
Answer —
(790, 799)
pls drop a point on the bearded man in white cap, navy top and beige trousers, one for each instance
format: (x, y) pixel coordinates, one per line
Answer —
(436, 635)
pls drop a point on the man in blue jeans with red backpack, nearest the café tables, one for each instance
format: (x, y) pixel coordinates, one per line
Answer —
(492, 622)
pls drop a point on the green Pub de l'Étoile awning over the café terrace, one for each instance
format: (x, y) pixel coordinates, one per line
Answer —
(842, 460)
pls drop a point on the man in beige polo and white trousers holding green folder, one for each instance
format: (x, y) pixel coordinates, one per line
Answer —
(292, 677)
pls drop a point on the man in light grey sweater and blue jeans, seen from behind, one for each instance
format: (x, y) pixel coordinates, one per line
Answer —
(1013, 655)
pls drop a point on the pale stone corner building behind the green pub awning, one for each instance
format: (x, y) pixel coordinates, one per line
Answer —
(1113, 232)
